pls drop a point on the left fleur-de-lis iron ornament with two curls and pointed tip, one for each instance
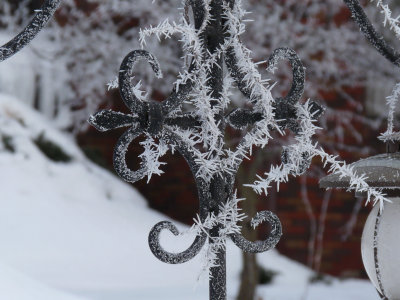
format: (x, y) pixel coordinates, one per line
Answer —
(147, 116)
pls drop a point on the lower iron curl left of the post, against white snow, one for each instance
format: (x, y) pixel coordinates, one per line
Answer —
(173, 258)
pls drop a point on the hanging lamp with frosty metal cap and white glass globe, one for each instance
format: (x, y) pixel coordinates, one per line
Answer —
(380, 245)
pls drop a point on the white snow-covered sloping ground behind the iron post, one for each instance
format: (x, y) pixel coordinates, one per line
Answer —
(71, 230)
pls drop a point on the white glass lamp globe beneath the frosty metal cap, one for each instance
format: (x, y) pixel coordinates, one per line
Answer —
(380, 248)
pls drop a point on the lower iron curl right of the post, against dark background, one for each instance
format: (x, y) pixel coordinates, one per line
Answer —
(265, 245)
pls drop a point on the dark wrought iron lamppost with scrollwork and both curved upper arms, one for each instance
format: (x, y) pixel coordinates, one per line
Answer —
(156, 119)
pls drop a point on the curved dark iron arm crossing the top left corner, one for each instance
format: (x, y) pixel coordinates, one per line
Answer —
(38, 22)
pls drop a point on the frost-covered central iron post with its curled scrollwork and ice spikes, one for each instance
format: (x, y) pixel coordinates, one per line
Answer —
(193, 118)
